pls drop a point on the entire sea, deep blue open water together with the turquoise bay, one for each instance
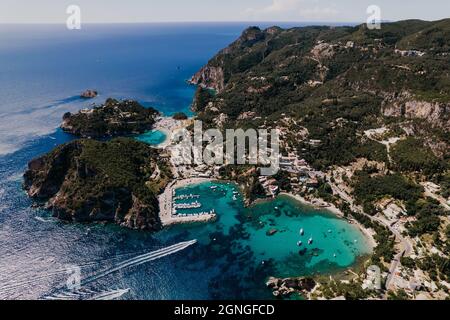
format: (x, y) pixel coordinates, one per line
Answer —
(43, 70)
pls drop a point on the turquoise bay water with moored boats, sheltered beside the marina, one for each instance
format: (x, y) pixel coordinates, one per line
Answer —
(336, 243)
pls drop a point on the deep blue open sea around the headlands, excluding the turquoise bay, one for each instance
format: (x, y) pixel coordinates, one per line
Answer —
(43, 69)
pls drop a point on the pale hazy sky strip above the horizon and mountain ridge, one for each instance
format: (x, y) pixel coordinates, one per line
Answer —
(136, 11)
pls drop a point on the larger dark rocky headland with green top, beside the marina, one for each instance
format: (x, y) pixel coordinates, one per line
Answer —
(77, 183)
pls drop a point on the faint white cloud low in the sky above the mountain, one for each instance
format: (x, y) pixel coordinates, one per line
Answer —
(293, 10)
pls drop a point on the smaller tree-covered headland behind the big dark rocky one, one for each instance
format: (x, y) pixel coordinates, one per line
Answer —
(114, 118)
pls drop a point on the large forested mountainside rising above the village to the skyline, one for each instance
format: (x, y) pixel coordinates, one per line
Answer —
(336, 88)
